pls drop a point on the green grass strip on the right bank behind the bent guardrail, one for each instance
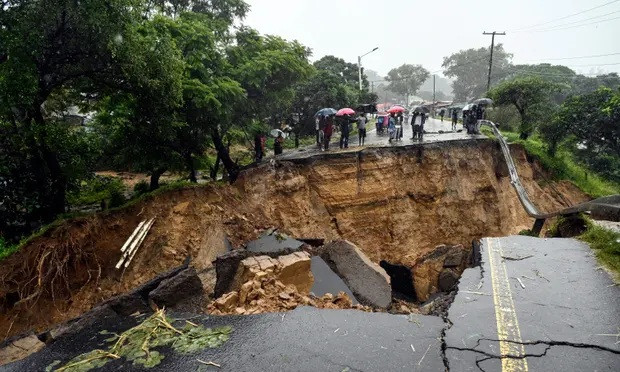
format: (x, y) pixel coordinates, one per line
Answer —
(563, 165)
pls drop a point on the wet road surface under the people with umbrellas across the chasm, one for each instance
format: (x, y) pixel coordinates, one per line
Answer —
(433, 127)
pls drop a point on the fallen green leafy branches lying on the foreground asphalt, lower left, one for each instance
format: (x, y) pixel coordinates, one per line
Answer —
(136, 344)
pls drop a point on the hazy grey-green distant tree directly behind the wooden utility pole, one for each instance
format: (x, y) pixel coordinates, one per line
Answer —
(470, 70)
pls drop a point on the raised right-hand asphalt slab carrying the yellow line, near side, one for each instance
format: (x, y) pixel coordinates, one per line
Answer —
(568, 303)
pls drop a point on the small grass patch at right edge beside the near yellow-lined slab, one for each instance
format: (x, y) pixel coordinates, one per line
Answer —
(606, 245)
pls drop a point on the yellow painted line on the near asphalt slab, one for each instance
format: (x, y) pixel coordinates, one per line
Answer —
(505, 314)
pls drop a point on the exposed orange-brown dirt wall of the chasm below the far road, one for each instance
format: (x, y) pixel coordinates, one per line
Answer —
(396, 204)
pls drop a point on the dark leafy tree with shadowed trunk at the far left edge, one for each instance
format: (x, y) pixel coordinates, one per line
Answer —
(50, 46)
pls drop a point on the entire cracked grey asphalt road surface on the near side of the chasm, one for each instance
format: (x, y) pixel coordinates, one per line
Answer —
(554, 307)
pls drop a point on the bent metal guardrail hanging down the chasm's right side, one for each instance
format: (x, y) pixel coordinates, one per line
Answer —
(608, 206)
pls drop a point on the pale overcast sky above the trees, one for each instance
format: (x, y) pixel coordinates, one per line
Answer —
(423, 32)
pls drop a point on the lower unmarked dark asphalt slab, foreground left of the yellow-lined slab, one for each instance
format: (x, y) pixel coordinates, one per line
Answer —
(305, 339)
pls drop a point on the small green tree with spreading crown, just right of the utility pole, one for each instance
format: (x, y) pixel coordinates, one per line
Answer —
(529, 95)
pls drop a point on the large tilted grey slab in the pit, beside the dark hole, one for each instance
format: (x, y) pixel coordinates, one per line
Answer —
(368, 281)
